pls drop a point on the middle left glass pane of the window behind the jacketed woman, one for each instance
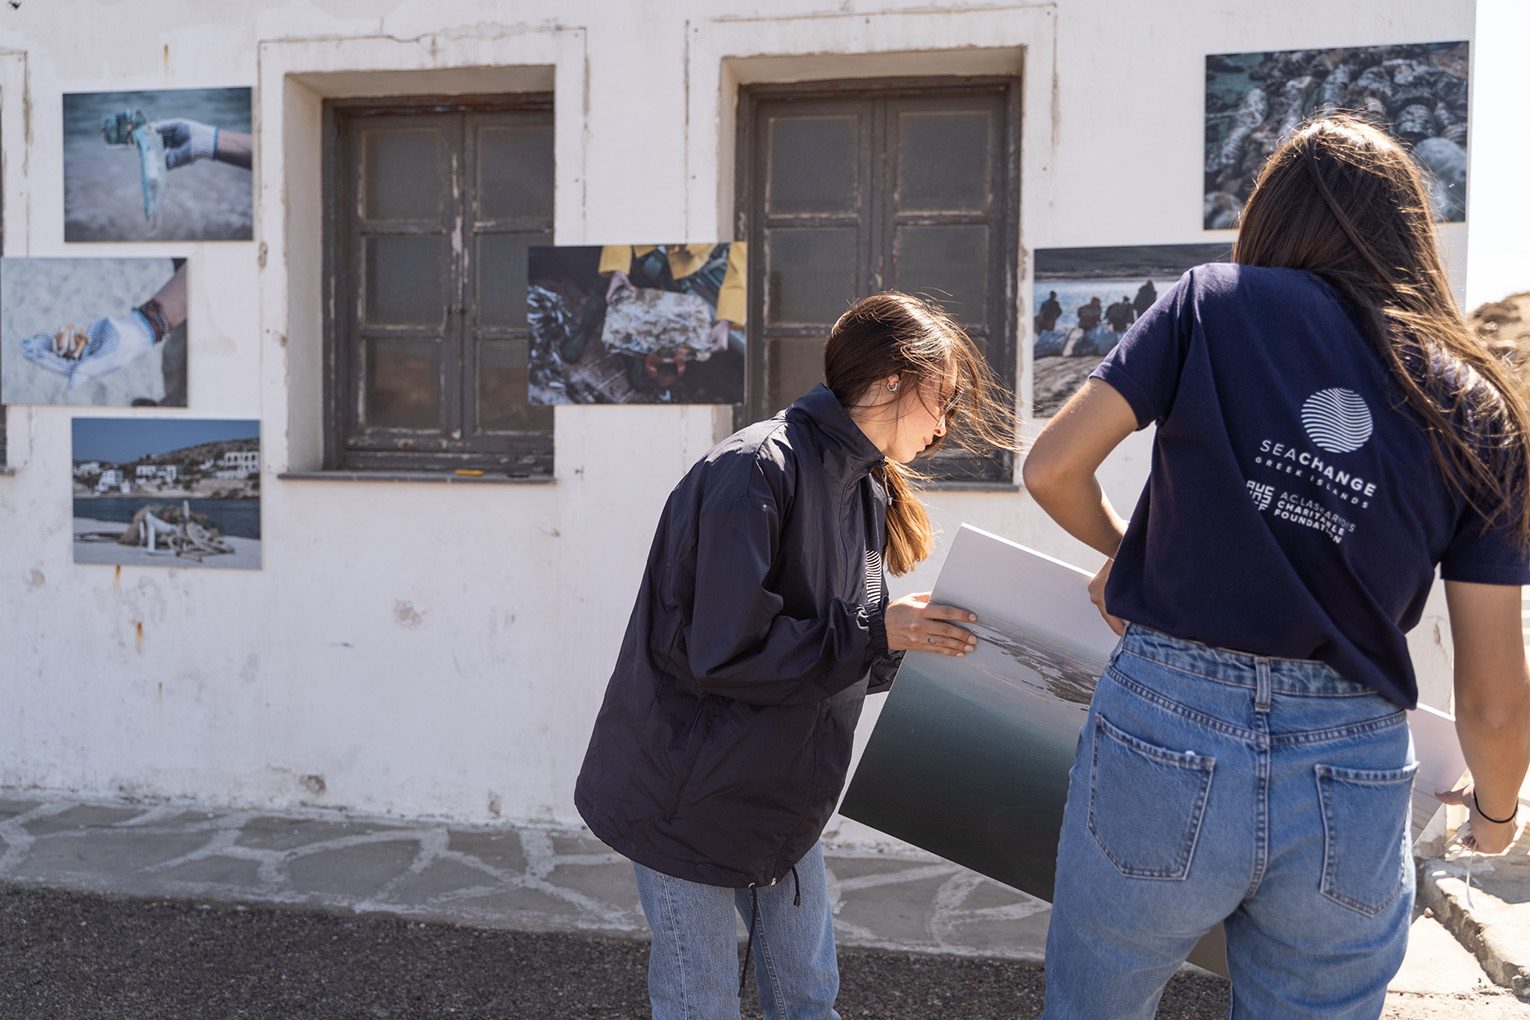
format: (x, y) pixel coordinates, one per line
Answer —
(810, 273)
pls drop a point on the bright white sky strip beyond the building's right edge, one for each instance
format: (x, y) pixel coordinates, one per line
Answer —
(1499, 200)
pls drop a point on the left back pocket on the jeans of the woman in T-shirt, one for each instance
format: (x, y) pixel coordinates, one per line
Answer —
(1147, 804)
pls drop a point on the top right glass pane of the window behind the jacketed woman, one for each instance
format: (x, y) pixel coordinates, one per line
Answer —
(943, 163)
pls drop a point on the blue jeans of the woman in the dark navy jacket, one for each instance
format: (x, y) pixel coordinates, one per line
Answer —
(694, 966)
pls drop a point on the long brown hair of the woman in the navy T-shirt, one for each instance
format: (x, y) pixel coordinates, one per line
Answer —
(1341, 200)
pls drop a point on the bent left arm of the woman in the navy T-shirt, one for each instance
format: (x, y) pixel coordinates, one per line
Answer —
(1060, 469)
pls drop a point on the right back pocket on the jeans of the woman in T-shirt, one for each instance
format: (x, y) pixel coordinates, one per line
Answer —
(1366, 827)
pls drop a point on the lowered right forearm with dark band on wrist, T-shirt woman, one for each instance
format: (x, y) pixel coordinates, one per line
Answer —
(1493, 707)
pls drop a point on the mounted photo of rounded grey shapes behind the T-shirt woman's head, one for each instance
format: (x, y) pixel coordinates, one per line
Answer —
(1416, 93)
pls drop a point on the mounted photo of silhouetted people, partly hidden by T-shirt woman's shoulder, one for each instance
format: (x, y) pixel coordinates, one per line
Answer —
(1086, 302)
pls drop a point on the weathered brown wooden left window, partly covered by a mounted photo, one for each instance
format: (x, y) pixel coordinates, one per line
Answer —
(432, 206)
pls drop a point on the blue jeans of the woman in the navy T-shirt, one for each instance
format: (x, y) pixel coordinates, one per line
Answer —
(1216, 787)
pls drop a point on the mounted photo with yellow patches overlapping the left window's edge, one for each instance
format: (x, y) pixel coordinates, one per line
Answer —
(637, 323)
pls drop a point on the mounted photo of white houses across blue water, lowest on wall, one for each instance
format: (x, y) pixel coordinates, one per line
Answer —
(168, 492)
